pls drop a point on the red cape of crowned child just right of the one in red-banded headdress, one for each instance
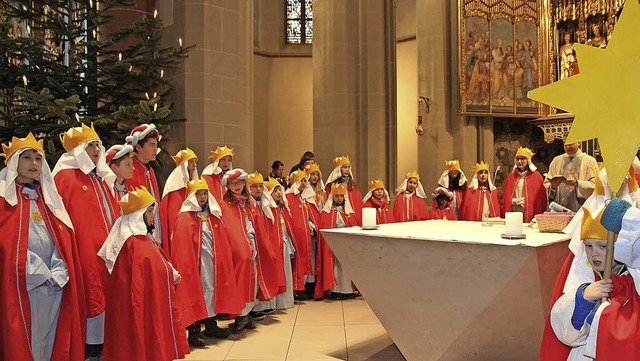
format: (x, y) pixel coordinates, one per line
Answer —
(267, 265)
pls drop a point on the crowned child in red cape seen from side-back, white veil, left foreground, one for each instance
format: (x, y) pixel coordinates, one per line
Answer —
(142, 317)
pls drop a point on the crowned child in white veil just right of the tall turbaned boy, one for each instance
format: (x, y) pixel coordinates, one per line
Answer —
(174, 193)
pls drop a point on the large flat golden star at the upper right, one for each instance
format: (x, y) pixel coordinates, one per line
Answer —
(602, 96)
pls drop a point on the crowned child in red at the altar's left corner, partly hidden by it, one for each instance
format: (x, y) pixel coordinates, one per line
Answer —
(337, 213)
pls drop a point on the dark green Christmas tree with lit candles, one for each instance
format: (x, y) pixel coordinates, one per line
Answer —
(64, 61)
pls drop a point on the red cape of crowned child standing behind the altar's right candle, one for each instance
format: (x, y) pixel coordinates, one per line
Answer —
(535, 195)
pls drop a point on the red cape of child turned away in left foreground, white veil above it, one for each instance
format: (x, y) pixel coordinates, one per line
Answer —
(142, 320)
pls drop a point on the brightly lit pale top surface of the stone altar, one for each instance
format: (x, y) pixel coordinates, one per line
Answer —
(456, 232)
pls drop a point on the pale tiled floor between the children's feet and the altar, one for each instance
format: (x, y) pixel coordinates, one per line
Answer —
(311, 331)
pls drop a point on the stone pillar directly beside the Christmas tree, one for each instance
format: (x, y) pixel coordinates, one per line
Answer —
(214, 89)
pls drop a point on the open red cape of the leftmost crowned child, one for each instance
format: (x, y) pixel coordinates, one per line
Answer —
(15, 323)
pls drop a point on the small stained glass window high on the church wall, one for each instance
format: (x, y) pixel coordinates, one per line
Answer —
(299, 18)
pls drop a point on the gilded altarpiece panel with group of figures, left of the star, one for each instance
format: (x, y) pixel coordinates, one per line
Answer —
(503, 54)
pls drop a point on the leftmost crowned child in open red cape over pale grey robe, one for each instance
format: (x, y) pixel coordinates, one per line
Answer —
(43, 314)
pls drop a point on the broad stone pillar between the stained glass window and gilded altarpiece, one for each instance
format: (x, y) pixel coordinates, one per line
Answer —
(353, 86)
